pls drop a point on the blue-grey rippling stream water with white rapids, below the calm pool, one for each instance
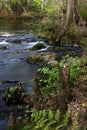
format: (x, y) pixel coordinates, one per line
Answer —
(13, 52)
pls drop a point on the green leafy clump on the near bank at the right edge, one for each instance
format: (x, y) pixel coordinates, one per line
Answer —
(76, 66)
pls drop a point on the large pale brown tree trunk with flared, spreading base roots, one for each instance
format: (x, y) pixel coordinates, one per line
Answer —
(72, 16)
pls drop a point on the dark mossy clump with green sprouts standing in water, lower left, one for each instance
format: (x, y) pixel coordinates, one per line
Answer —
(14, 95)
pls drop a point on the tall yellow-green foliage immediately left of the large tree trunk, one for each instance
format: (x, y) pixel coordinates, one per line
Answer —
(53, 20)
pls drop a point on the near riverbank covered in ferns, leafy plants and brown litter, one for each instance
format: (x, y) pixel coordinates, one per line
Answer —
(59, 96)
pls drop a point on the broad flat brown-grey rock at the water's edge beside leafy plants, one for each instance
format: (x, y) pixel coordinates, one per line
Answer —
(43, 58)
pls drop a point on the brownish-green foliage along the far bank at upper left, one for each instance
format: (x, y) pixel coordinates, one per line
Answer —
(20, 6)
